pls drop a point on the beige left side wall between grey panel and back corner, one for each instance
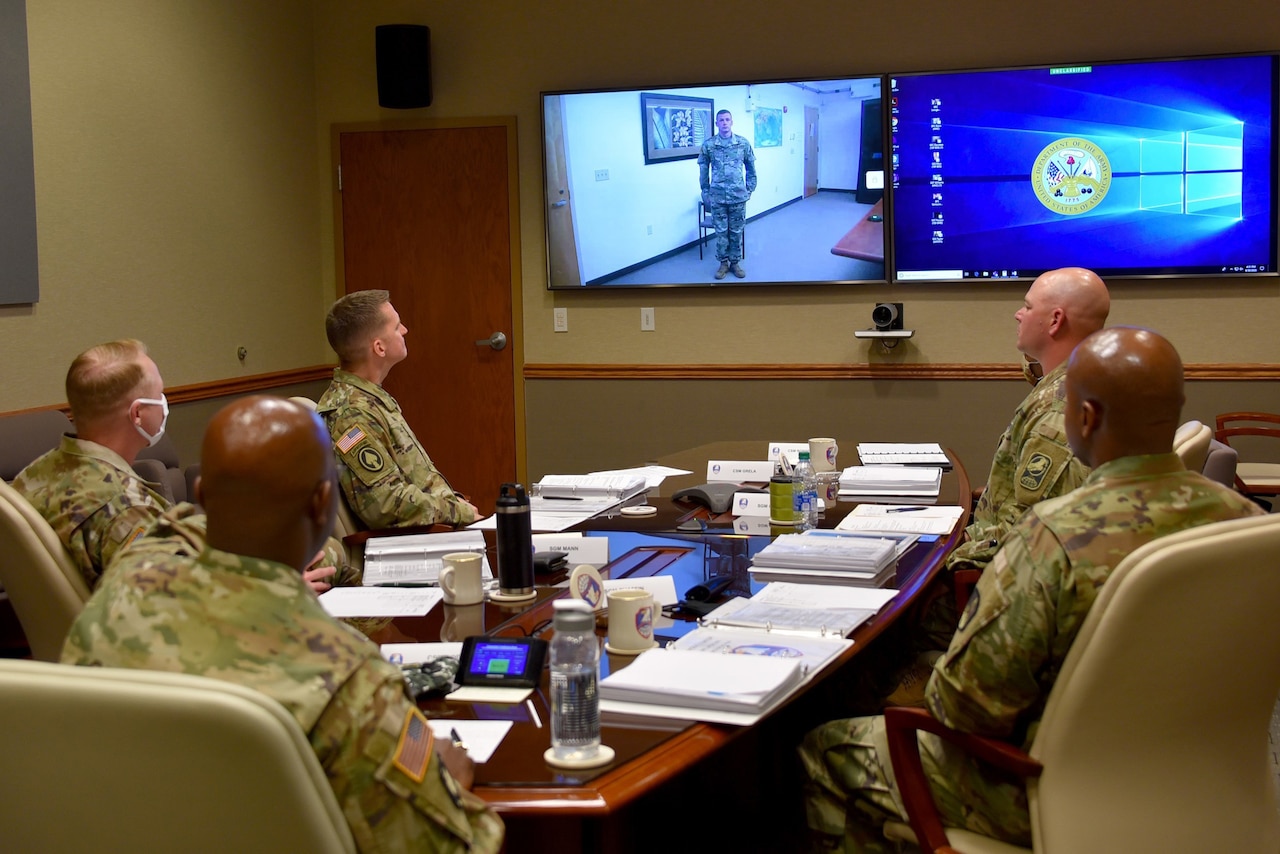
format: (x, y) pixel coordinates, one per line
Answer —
(176, 190)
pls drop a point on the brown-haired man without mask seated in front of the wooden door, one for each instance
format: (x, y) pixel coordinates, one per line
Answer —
(386, 476)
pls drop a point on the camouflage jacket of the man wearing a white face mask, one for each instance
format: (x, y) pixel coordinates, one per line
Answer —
(93, 500)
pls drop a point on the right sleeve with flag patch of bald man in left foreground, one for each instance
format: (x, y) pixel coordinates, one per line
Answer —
(380, 756)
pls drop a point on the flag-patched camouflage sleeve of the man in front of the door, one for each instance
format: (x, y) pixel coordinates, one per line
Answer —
(380, 492)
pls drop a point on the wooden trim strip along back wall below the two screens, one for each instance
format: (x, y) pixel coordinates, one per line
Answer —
(930, 372)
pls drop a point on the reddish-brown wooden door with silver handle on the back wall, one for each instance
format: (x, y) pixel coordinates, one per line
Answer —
(431, 214)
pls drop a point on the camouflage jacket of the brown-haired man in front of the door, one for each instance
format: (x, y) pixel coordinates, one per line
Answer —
(386, 476)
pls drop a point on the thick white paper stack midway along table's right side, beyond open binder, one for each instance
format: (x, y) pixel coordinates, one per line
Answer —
(861, 561)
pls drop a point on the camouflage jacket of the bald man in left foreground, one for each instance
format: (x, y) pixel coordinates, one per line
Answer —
(258, 624)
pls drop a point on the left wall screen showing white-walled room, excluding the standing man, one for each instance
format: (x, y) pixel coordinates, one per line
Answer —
(624, 199)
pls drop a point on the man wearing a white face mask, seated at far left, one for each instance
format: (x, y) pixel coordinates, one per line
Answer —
(86, 488)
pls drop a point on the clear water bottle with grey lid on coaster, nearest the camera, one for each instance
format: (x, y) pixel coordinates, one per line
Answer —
(575, 679)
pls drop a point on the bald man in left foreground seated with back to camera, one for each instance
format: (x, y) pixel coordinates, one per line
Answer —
(240, 611)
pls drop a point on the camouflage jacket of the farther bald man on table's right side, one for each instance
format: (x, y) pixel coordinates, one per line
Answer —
(1034, 462)
